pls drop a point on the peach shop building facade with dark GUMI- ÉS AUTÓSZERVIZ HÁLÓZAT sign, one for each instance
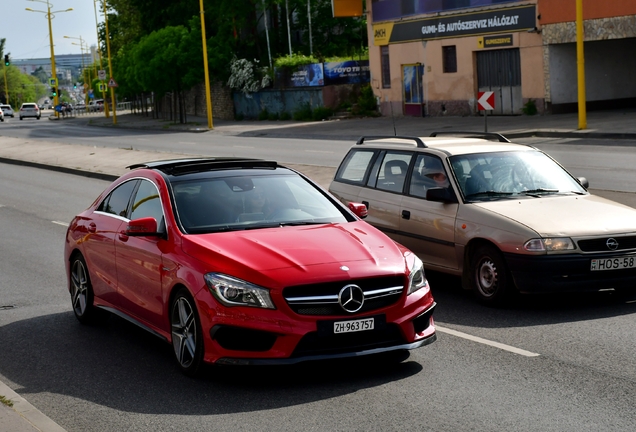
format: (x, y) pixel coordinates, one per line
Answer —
(432, 57)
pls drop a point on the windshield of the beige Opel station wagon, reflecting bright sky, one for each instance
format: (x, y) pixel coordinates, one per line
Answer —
(505, 175)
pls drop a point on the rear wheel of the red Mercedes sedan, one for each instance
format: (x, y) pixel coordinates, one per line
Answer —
(82, 293)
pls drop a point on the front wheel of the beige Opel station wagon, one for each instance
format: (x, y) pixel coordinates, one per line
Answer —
(489, 276)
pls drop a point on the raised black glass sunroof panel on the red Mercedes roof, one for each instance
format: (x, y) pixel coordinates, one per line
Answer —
(182, 166)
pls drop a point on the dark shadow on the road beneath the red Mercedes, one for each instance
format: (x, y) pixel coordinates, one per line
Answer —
(121, 366)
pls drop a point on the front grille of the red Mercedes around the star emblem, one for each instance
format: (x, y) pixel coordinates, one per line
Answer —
(322, 299)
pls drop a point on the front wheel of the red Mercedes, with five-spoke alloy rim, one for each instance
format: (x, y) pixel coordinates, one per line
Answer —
(187, 338)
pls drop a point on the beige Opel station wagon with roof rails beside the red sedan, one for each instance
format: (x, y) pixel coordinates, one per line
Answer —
(505, 217)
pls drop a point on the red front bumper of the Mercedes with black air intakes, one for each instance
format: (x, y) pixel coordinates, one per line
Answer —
(277, 337)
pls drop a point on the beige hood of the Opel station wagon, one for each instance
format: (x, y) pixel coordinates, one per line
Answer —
(572, 215)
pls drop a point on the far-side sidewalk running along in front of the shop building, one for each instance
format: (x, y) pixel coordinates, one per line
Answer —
(619, 124)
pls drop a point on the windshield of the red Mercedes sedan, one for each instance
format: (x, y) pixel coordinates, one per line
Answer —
(251, 202)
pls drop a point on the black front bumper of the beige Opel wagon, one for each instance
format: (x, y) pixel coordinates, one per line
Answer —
(568, 273)
